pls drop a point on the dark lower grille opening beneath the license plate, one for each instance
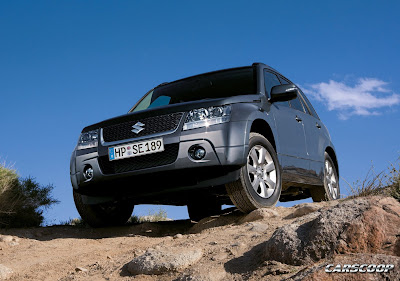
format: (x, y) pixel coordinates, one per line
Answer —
(168, 156)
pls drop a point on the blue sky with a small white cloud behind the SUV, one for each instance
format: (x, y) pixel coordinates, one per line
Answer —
(68, 64)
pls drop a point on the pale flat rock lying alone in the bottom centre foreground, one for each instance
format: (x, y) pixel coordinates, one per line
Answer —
(164, 260)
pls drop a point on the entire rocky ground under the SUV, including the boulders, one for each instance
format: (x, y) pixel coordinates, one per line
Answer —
(268, 244)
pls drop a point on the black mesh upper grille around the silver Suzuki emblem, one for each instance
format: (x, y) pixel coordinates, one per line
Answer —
(152, 125)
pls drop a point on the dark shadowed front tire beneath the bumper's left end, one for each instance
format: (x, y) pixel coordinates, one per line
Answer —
(106, 214)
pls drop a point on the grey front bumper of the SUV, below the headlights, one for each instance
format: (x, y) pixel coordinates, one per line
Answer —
(225, 153)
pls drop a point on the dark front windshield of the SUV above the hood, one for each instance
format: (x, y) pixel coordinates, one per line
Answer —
(221, 84)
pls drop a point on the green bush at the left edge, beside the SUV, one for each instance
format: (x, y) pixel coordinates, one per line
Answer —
(22, 200)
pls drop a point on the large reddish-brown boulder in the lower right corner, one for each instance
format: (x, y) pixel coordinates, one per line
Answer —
(353, 226)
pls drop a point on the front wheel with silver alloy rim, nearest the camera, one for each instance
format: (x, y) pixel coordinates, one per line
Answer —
(264, 175)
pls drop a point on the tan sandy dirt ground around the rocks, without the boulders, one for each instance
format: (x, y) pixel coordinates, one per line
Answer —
(232, 245)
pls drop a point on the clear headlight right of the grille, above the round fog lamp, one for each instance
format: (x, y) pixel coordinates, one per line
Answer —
(204, 117)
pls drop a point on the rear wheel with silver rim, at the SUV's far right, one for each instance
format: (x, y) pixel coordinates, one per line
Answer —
(330, 190)
